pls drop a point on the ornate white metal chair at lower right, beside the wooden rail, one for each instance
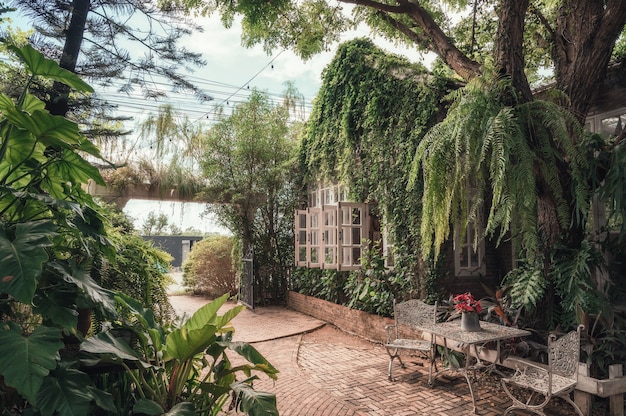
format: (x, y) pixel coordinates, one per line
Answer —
(539, 383)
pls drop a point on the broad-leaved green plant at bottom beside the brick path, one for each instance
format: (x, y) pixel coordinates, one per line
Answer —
(182, 370)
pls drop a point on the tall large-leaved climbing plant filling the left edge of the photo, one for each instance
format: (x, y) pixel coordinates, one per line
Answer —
(50, 231)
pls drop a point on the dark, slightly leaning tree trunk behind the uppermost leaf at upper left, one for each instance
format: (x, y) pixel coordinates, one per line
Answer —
(58, 104)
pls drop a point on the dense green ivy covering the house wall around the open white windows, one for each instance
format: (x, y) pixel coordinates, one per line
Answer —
(368, 118)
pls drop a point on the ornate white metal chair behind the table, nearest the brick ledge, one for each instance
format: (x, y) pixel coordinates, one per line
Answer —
(413, 314)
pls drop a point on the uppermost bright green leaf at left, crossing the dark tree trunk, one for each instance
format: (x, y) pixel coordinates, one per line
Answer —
(41, 66)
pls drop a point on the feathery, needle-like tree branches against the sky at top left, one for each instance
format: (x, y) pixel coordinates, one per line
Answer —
(124, 45)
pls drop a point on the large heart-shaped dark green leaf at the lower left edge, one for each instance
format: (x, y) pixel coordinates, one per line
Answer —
(26, 361)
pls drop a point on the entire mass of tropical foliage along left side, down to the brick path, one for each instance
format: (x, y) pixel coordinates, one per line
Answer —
(57, 250)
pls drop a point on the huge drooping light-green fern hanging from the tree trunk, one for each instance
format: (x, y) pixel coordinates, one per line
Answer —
(485, 149)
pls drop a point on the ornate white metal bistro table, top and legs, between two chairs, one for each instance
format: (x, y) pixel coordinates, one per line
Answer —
(451, 332)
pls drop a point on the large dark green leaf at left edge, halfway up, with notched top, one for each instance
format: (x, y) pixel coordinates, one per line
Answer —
(21, 258)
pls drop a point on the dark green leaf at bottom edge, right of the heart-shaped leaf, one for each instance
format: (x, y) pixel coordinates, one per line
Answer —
(65, 393)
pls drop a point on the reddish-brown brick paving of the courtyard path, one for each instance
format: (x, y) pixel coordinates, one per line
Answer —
(326, 372)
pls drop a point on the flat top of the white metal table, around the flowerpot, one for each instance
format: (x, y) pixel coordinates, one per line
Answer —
(489, 332)
